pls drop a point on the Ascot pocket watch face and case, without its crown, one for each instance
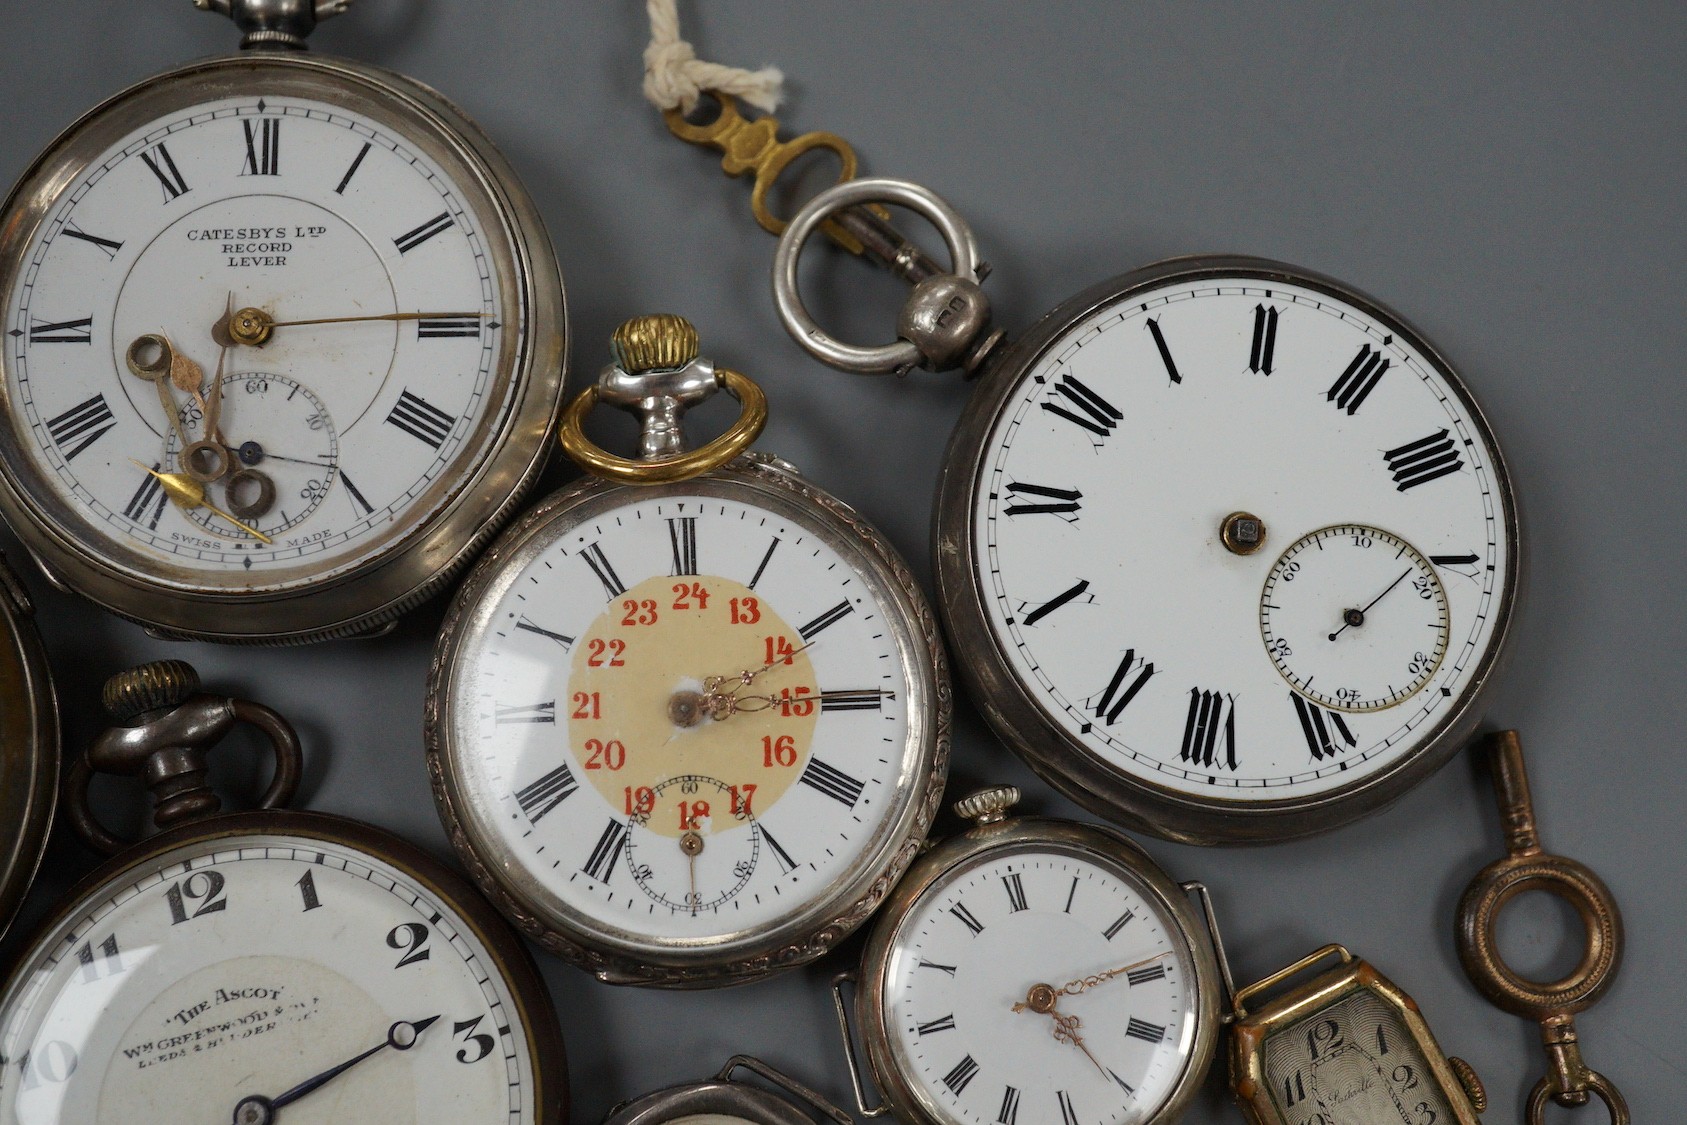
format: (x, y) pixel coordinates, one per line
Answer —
(230, 967)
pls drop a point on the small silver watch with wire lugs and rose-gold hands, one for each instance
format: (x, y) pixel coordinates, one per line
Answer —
(1037, 972)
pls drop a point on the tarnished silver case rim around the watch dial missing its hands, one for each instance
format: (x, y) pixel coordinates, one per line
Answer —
(1072, 767)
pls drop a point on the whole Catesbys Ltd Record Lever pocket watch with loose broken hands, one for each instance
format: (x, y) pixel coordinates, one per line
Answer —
(281, 343)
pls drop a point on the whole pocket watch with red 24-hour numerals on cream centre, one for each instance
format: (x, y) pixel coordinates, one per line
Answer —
(689, 718)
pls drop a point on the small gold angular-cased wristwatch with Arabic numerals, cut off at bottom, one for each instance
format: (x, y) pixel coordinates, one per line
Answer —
(1361, 1036)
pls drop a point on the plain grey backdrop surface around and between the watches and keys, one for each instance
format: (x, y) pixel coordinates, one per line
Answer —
(1507, 176)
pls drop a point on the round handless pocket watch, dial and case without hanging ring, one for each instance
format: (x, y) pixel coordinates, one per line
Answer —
(1232, 547)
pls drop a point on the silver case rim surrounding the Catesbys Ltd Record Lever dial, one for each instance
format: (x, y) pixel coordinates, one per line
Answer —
(445, 530)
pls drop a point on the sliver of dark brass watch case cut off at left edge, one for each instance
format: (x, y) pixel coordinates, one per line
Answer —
(30, 746)
